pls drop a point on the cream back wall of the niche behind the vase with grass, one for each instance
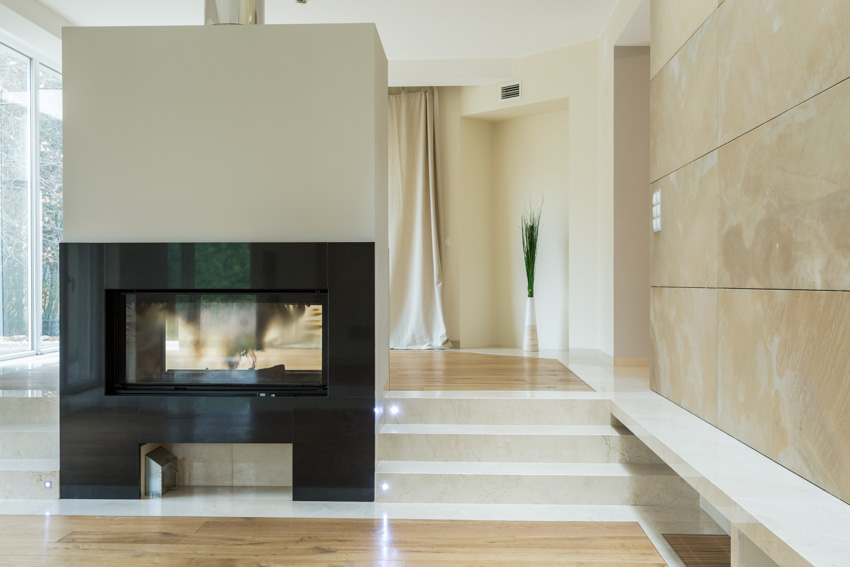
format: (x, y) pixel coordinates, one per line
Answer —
(531, 163)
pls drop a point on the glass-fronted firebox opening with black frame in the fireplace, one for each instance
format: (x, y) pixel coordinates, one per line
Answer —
(217, 342)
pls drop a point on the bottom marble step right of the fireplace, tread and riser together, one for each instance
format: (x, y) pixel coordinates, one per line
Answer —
(532, 483)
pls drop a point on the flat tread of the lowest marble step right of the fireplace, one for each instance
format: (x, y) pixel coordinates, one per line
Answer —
(522, 468)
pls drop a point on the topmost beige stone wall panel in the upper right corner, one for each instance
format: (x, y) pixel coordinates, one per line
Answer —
(774, 54)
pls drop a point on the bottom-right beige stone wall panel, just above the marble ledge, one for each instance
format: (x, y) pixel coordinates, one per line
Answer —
(783, 363)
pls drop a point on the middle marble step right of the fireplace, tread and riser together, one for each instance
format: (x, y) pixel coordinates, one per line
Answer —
(516, 443)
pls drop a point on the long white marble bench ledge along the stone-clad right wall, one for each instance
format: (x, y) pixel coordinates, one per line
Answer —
(793, 521)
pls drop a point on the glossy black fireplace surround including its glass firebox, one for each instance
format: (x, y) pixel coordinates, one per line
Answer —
(218, 343)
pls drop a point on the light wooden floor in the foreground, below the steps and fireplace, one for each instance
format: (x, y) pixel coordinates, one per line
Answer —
(60, 541)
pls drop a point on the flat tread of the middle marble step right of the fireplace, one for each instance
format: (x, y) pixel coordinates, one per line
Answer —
(464, 429)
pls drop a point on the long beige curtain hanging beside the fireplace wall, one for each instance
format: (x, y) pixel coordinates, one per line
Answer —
(416, 278)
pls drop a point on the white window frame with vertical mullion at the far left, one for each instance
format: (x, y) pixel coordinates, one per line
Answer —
(37, 59)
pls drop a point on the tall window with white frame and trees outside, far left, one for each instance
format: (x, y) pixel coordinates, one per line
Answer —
(30, 203)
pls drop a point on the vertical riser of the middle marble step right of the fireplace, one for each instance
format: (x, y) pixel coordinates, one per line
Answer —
(515, 448)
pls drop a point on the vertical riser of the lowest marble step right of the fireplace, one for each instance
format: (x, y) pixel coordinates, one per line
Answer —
(509, 489)
